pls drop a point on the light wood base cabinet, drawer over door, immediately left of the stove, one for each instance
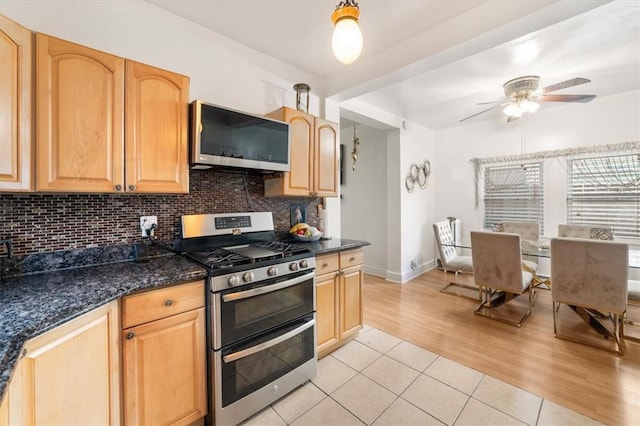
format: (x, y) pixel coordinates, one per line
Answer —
(164, 350)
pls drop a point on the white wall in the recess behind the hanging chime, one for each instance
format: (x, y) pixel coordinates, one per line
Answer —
(364, 195)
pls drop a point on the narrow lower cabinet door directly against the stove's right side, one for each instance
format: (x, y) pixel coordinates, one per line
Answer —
(327, 313)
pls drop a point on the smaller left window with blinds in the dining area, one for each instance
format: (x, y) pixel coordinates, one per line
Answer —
(513, 193)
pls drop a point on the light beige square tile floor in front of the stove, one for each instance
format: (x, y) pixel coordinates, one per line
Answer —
(381, 380)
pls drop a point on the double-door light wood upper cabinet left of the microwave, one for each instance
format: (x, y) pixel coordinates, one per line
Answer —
(106, 124)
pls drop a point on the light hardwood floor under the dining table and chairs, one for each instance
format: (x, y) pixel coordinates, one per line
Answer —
(593, 382)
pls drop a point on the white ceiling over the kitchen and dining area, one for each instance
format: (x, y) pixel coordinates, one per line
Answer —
(431, 62)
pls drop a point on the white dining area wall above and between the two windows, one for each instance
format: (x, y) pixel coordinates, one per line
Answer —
(610, 119)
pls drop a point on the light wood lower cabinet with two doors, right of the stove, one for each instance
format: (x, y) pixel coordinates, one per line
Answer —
(339, 292)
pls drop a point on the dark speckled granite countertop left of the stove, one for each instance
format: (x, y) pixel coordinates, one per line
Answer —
(35, 303)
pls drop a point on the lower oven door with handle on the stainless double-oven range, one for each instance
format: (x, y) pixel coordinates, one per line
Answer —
(247, 374)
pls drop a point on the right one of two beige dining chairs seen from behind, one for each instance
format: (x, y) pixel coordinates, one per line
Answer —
(591, 276)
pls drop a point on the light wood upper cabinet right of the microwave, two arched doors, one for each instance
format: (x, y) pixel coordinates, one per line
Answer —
(314, 157)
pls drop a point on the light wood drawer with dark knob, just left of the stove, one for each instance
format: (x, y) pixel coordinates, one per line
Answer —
(162, 303)
